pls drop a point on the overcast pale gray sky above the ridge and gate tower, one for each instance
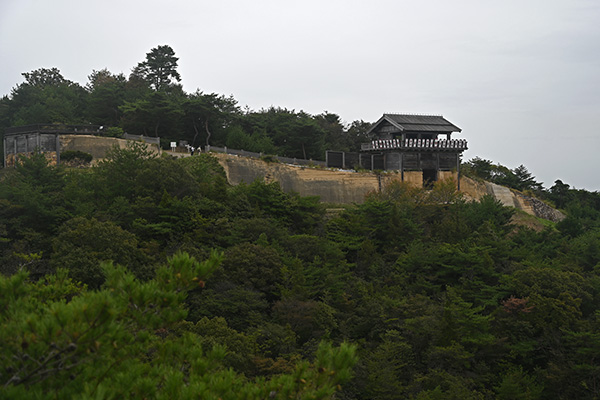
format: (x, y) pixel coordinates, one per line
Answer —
(520, 77)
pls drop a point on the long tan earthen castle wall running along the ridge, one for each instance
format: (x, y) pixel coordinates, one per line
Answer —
(332, 186)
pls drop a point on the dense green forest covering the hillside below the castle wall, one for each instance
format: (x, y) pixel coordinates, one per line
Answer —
(411, 294)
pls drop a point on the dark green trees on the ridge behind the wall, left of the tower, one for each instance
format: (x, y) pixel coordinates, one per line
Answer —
(150, 101)
